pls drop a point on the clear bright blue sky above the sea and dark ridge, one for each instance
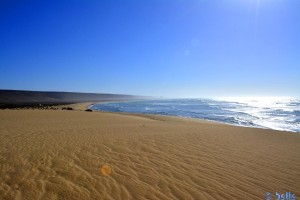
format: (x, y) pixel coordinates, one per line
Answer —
(170, 48)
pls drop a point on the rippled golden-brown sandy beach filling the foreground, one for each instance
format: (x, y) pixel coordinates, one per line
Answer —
(61, 154)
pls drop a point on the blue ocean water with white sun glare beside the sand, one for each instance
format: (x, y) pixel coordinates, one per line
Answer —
(271, 113)
